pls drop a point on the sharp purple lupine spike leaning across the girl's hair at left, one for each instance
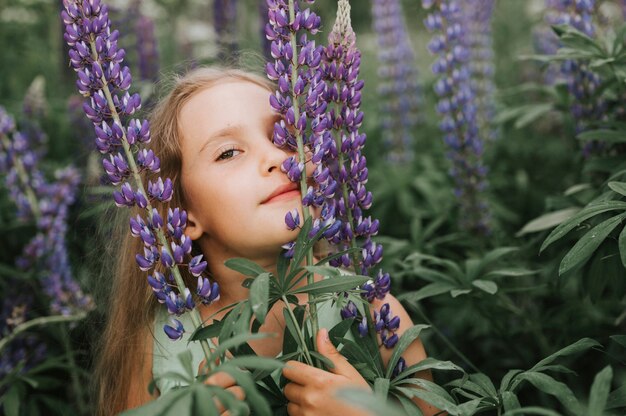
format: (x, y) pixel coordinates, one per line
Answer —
(104, 81)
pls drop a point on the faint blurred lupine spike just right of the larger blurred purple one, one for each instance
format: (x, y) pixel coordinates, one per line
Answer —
(478, 22)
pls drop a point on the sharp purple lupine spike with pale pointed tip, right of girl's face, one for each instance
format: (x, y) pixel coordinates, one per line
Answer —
(344, 168)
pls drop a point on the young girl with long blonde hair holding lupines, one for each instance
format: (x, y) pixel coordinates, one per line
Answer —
(213, 134)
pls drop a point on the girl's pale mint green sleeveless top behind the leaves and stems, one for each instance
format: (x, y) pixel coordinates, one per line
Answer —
(165, 350)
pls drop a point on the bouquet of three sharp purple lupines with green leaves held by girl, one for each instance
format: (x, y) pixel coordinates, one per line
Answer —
(318, 95)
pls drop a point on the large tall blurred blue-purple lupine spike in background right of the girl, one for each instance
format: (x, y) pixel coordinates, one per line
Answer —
(458, 110)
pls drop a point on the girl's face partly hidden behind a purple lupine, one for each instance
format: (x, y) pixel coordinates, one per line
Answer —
(236, 195)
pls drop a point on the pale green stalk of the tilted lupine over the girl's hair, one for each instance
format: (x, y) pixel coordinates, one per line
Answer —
(196, 319)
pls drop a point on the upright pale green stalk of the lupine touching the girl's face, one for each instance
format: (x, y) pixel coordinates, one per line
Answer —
(302, 158)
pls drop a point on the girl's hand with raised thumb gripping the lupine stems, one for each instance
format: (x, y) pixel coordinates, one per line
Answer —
(311, 390)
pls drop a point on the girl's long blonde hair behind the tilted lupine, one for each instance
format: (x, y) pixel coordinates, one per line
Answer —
(132, 305)
